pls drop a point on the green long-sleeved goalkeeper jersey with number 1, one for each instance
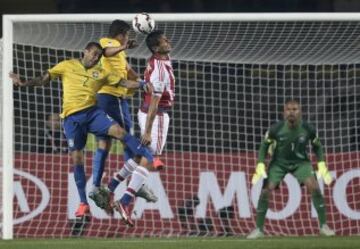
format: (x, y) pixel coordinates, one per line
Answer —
(289, 146)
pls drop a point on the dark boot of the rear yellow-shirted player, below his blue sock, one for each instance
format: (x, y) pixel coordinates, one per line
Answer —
(103, 198)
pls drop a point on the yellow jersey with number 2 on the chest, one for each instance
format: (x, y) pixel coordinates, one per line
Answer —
(80, 84)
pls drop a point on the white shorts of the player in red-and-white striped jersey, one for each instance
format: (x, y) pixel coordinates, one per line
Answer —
(158, 133)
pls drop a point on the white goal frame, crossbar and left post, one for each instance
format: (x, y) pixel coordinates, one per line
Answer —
(7, 66)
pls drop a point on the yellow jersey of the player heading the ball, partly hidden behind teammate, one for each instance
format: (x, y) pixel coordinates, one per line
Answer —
(119, 63)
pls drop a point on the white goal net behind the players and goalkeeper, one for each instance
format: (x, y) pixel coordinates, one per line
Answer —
(233, 75)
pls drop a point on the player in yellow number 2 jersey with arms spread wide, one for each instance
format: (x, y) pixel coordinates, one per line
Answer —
(81, 79)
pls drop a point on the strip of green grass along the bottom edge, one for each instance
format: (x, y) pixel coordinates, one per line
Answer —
(191, 243)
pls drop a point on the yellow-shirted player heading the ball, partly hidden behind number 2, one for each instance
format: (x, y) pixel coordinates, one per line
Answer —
(114, 101)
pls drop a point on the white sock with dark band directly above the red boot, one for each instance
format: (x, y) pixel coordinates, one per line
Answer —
(137, 180)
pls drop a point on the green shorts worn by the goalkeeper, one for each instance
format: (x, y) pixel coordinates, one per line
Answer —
(301, 171)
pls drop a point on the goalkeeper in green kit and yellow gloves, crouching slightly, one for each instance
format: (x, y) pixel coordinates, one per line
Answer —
(288, 140)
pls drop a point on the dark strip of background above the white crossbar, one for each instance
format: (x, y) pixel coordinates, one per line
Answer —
(123, 6)
